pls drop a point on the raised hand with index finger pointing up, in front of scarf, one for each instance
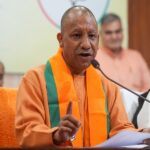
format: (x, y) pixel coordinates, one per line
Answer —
(67, 128)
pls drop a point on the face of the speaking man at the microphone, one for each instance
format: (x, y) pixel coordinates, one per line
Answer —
(79, 40)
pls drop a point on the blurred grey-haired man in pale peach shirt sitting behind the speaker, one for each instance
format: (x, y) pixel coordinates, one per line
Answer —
(125, 66)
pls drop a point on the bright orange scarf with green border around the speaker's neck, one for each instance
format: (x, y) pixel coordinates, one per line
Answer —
(61, 90)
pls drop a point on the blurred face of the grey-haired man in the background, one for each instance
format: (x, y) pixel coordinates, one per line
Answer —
(111, 35)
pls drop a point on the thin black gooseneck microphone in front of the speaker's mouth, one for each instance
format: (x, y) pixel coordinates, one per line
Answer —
(97, 66)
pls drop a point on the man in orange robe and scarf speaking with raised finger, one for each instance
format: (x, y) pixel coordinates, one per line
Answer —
(67, 102)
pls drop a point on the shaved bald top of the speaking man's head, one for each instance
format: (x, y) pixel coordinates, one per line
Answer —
(74, 12)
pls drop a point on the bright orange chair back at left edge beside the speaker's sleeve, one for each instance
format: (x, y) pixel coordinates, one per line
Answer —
(7, 117)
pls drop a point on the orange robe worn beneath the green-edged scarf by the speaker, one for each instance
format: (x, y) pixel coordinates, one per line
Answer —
(32, 115)
